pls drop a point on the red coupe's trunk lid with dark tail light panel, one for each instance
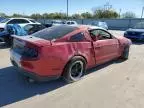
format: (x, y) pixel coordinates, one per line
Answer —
(28, 47)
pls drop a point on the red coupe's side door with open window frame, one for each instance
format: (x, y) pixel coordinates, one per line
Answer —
(106, 47)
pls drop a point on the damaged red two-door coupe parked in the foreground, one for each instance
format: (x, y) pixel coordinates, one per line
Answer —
(66, 51)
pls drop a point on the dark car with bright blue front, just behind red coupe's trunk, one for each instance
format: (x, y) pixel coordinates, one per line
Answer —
(16, 29)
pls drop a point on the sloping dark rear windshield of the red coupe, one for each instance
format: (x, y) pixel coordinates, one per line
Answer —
(54, 32)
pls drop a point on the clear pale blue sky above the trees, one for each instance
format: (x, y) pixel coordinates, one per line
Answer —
(75, 6)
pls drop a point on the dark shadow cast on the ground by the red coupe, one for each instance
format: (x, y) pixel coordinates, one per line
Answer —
(14, 88)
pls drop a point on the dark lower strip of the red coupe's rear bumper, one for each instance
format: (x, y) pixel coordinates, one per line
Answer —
(33, 75)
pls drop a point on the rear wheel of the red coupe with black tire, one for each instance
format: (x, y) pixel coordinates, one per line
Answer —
(71, 73)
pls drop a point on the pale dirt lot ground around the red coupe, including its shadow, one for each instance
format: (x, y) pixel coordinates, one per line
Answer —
(113, 85)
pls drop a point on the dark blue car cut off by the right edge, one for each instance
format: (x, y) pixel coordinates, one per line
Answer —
(135, 33)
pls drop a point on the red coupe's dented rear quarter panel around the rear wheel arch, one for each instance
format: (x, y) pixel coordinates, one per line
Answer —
(55, 58)
